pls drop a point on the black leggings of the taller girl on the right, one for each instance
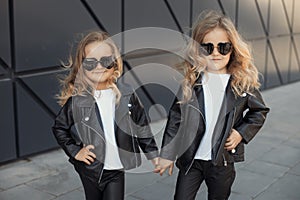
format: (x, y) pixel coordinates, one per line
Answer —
(218, 179)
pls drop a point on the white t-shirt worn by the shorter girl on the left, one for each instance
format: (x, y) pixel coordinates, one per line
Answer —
(106, 103)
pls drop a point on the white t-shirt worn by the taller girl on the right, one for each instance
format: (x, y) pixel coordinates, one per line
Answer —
(214, 86)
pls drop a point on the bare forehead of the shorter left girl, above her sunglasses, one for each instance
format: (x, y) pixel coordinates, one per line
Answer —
(97, 49)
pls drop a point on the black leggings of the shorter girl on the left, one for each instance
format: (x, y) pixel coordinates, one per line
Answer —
(111, 186)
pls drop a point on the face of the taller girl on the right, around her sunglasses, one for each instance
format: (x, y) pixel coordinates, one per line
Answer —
(217, 62)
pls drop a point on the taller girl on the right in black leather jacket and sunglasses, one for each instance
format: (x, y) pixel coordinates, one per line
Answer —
(221, 110)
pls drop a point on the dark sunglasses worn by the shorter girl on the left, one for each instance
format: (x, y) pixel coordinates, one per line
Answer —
(91, 63)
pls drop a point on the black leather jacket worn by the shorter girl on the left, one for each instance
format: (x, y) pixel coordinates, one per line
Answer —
(131, 131)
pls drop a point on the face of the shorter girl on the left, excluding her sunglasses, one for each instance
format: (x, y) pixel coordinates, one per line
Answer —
(99, 75)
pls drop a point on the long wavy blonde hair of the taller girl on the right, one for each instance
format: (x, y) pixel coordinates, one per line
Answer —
(243, 72)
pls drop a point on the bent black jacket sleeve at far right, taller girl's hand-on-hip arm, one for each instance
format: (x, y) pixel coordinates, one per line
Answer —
(254, 118)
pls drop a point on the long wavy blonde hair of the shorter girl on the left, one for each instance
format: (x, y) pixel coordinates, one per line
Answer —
(76, 83)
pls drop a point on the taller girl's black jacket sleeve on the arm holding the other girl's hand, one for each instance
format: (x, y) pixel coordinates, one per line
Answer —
(171, 138)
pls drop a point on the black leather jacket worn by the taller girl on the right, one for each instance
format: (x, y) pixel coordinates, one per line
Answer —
(186, 127)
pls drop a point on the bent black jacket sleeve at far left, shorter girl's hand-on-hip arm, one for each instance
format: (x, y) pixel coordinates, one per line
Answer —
(62, 130)
